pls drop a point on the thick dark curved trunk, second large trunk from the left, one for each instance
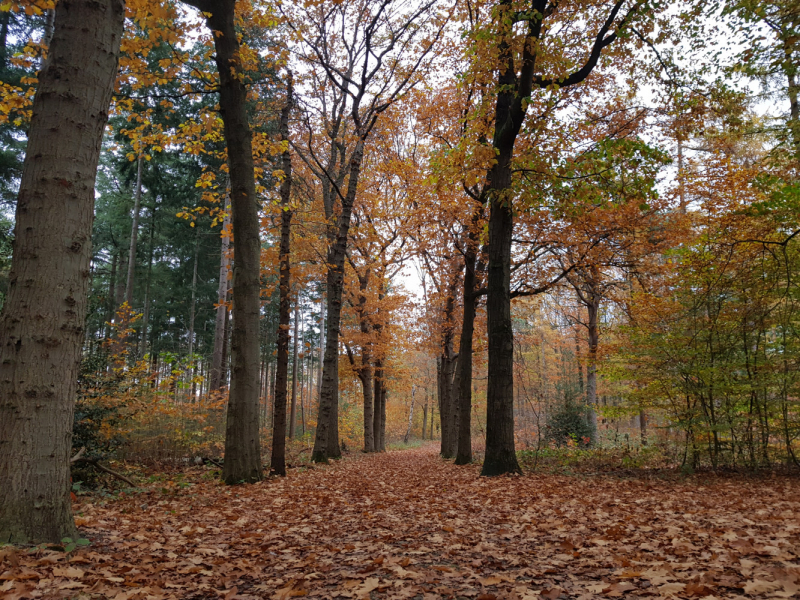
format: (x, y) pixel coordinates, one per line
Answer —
(242, 444)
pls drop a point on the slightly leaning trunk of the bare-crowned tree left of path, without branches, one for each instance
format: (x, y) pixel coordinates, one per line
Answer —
(326, 442)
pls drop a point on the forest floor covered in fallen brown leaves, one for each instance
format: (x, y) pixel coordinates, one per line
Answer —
(407, 524)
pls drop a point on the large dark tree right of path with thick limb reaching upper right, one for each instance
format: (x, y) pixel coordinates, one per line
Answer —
(516, 79)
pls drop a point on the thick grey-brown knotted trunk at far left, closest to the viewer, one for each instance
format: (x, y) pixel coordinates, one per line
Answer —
(41, 328)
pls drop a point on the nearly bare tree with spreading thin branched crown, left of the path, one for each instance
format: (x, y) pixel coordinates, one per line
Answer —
(359, 51)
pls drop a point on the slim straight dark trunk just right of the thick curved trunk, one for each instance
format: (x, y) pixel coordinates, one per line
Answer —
(278, 458)
